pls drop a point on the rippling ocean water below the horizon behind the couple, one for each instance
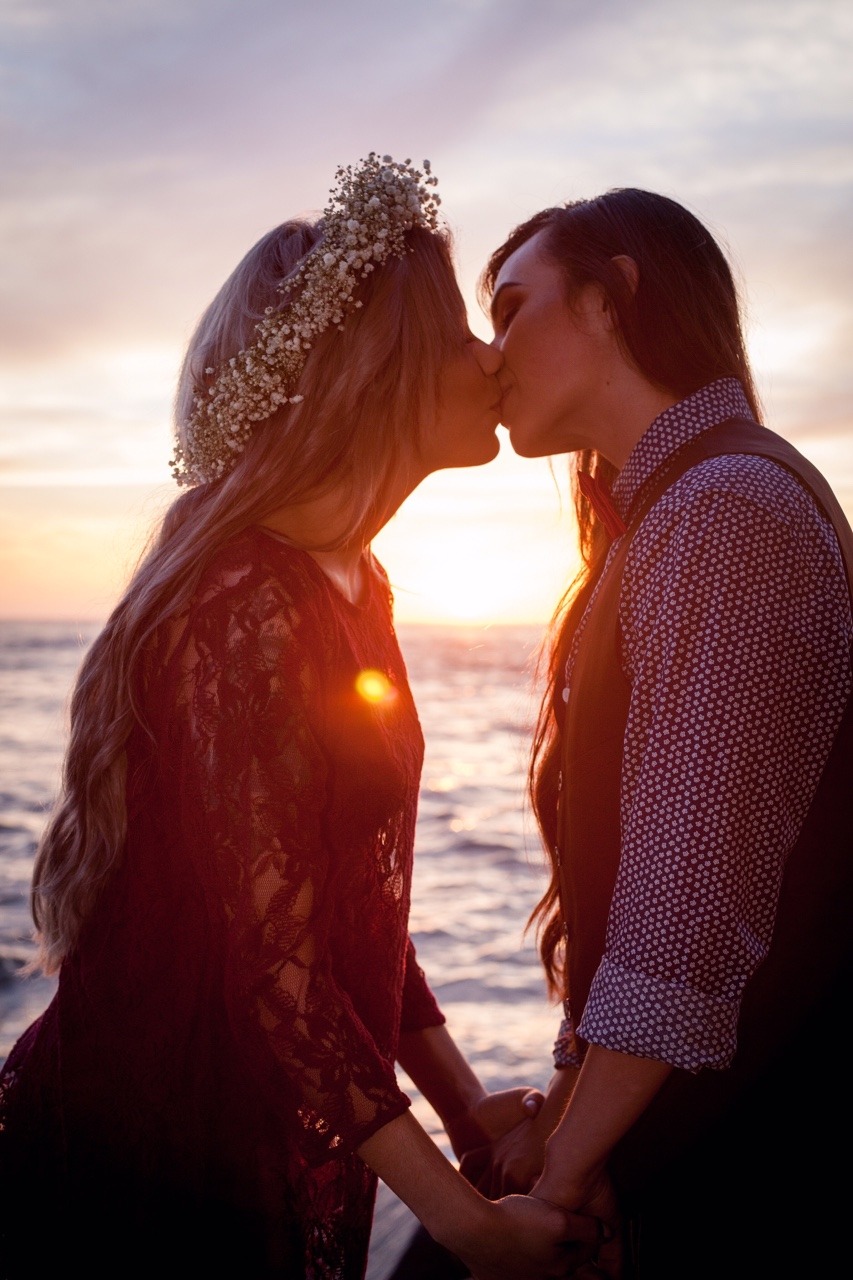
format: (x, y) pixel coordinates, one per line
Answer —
(478, 865)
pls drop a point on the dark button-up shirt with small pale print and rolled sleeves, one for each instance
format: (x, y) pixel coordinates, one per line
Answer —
(737, 636)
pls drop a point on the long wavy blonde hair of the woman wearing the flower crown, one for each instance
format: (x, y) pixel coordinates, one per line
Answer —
(368, 391)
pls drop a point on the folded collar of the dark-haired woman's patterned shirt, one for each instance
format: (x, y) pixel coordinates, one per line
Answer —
(714, 404)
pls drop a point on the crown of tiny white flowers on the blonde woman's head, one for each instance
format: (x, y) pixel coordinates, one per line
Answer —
(371, 209)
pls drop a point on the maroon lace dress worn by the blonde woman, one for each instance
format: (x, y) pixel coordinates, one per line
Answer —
(225, 1036)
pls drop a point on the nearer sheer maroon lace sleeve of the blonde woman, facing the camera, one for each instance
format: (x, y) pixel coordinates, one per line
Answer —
(249, 706)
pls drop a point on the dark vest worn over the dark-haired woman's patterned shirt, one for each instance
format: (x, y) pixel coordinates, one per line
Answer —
(804, 988)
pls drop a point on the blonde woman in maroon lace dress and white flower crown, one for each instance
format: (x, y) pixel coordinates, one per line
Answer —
(223, 886)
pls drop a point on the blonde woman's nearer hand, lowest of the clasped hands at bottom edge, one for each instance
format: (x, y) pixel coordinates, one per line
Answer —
(528, 1240)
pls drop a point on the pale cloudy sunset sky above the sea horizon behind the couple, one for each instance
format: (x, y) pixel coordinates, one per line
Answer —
(147, 144)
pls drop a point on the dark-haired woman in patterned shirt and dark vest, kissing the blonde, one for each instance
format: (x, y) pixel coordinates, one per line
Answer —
(692, 764)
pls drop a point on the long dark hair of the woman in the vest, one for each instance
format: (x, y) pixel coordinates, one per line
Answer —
(682, 328)
